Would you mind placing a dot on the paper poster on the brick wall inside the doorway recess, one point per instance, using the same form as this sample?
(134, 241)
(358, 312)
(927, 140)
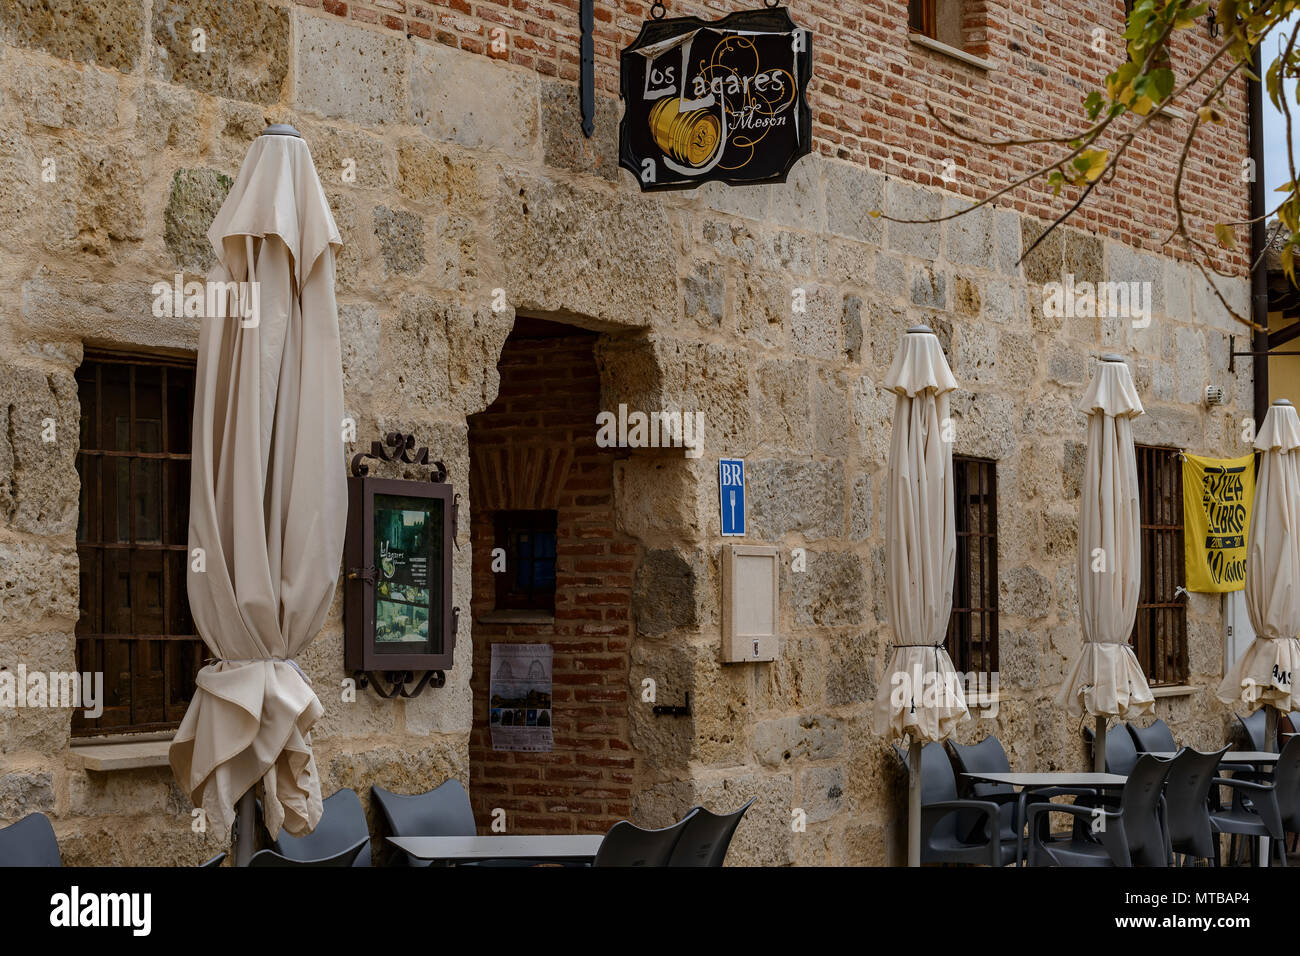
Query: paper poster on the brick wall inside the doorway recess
(519, 698)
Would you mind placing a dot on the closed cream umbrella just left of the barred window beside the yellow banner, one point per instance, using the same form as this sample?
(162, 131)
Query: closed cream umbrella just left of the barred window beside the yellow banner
(1107, 680)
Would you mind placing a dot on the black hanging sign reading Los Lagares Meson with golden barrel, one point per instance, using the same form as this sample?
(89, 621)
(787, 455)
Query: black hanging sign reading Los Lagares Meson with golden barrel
(717, 101)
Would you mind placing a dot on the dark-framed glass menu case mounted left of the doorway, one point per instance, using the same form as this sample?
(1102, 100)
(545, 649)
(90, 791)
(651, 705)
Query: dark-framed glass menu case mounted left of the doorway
(397, 600)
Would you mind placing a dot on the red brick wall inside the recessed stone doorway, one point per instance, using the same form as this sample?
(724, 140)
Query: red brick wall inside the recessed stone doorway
(535, 448)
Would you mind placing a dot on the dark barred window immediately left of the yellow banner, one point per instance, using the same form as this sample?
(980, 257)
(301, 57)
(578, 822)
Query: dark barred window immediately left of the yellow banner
(1160, 629)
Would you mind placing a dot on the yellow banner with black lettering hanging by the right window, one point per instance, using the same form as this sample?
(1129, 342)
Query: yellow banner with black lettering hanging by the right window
(1217, 496)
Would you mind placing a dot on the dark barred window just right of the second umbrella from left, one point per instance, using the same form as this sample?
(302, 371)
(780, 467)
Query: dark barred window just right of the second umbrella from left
(977, 551)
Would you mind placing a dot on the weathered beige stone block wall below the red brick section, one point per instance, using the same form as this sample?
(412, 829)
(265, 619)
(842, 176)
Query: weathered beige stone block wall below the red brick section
(453, 179)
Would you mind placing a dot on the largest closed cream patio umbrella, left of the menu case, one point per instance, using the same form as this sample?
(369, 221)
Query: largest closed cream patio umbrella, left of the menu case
(268, 495)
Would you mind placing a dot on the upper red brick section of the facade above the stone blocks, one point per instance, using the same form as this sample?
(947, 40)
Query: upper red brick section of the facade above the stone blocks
(872, 88)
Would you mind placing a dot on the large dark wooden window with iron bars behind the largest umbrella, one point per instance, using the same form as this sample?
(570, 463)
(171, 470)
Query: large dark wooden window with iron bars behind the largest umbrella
(135, 621)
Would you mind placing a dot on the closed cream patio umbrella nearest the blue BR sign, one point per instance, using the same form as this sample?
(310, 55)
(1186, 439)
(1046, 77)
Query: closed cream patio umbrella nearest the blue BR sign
(922, 698)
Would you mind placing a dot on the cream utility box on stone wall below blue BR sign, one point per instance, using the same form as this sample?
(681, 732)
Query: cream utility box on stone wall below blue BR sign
(751, 603)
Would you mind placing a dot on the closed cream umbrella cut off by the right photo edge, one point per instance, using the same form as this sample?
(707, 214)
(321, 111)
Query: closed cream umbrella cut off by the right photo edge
(1266, 674)
